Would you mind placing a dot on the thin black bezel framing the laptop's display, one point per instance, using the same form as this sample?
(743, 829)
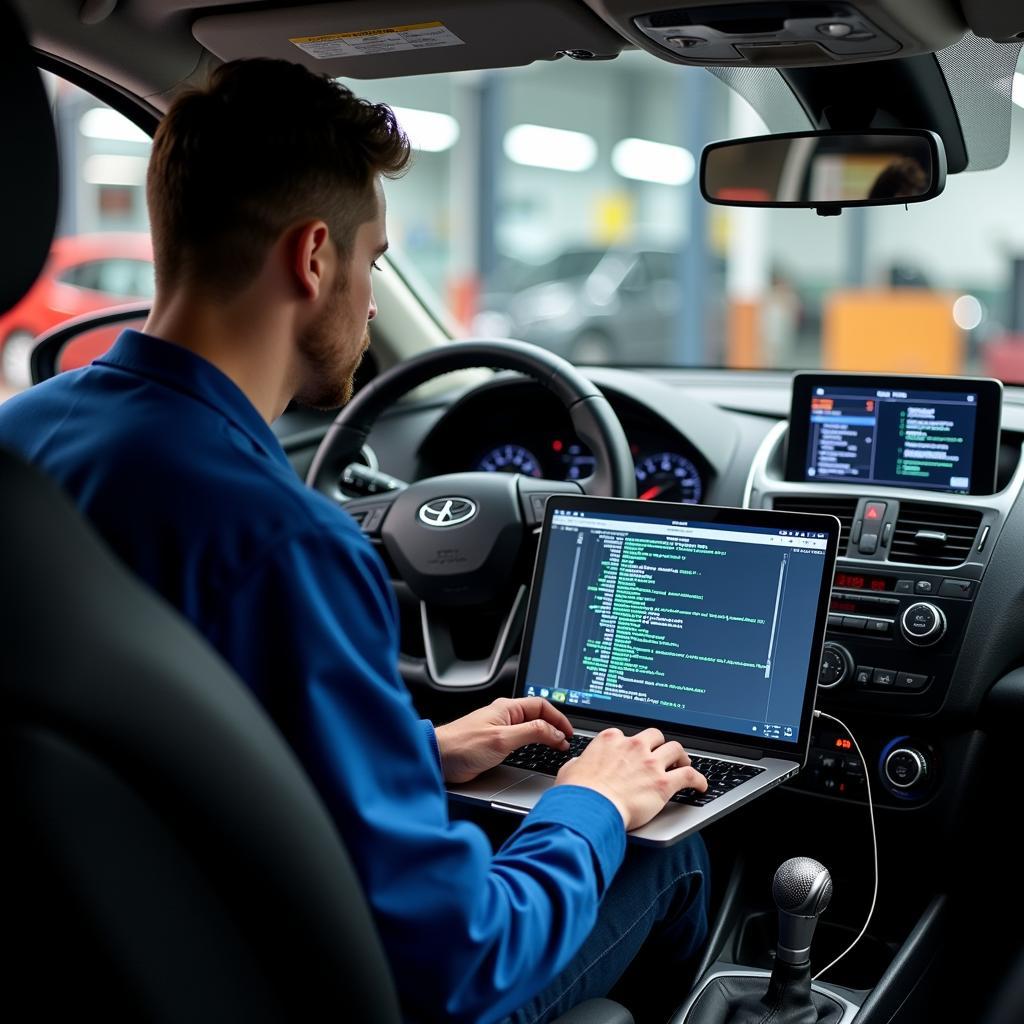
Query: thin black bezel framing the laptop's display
(827, 525)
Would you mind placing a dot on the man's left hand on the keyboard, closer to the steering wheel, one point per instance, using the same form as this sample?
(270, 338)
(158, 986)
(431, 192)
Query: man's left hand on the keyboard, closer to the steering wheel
(484, 739)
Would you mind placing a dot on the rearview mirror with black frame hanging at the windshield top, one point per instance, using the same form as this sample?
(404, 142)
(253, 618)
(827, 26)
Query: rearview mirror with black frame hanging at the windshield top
(826, 170)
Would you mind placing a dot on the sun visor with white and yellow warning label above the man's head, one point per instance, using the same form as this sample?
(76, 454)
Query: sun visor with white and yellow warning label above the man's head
(370, 39)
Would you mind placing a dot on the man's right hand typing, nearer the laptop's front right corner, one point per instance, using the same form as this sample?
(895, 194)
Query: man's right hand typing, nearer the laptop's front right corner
(637, 774)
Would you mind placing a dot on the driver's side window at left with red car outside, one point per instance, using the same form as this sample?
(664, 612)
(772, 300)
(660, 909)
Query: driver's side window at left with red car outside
(102, 255)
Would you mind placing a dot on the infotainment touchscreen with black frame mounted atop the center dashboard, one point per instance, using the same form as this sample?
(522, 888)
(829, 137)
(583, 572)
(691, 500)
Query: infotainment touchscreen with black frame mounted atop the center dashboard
(934, 434)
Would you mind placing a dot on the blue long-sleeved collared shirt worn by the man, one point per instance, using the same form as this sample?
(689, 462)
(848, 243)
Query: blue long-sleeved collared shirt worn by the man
(189, 485)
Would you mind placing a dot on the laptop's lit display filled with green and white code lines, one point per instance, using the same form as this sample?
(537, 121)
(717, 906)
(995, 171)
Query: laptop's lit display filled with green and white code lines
(693, 624)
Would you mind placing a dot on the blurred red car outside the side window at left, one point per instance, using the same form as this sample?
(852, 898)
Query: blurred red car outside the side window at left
(84, 274)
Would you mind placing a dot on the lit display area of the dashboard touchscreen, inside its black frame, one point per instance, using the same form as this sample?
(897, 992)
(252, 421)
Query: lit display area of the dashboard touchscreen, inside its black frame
(880, 436)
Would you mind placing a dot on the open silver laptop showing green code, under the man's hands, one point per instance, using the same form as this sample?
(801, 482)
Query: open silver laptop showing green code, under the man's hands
(707, 623)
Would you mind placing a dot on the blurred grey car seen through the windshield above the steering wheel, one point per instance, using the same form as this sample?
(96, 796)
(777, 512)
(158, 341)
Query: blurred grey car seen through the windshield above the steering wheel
(591, 306)
